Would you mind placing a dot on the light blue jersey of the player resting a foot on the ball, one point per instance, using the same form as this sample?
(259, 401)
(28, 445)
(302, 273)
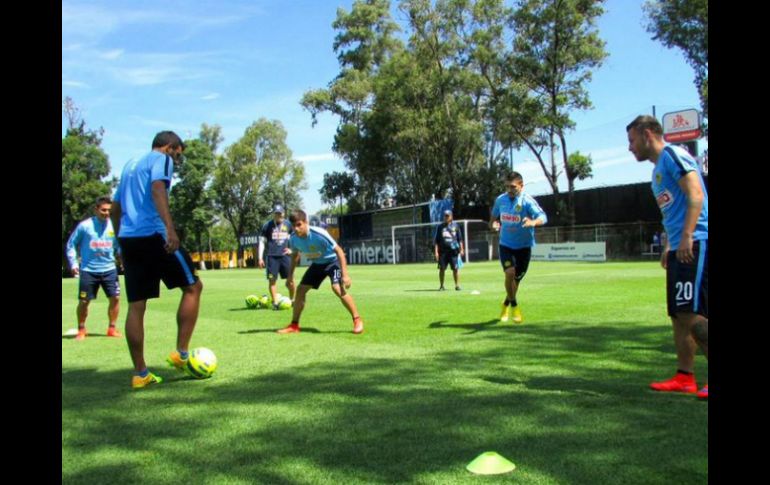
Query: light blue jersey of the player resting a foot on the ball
(139, 215)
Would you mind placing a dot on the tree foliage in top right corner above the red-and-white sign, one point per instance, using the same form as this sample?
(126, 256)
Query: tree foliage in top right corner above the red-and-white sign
(684, 24)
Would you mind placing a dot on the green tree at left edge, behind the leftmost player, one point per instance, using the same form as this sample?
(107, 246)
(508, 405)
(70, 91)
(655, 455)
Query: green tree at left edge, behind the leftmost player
(84, 167)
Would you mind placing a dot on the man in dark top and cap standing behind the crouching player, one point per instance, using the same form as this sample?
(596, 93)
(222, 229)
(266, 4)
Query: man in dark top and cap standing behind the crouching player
(276, 233)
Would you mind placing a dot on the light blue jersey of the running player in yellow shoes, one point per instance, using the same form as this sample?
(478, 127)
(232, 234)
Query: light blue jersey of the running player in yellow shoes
(512, 213)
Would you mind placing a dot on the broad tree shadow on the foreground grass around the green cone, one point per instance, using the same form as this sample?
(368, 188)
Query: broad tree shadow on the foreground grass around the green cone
(563, 406)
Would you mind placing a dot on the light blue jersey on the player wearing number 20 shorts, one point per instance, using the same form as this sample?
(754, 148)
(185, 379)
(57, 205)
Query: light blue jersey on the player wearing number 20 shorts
(673, 164)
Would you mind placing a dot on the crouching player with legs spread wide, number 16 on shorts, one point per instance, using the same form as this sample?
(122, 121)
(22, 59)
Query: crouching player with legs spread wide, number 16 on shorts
(326, 259)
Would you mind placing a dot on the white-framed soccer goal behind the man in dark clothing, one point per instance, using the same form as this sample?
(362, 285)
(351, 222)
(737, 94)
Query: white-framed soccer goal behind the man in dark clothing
(414, 243)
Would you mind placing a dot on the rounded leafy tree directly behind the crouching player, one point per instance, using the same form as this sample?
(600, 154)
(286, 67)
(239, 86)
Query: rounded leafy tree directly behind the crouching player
(254, 173)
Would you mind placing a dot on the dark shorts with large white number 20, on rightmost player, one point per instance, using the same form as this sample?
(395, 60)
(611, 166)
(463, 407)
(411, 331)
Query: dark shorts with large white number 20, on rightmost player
(687, 284)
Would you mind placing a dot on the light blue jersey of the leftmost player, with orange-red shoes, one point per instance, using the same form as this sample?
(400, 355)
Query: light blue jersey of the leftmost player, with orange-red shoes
(96, 243)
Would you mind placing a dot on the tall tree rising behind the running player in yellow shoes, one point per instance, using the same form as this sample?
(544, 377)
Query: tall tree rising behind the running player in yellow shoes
(556, 48)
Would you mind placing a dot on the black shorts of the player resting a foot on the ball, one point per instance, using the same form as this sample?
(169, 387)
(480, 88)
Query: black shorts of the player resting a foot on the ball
(146, 263)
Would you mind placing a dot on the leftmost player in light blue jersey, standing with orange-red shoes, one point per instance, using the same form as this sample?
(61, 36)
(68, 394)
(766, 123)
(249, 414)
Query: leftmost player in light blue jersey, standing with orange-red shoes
(96, 242)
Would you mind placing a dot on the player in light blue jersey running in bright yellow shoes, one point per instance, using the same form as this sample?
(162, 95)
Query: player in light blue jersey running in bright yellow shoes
(515, 214)
